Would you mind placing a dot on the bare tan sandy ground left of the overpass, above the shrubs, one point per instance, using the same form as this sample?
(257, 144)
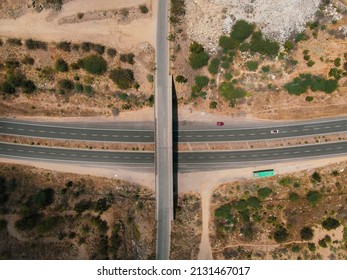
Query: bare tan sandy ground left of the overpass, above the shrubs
(45, 25)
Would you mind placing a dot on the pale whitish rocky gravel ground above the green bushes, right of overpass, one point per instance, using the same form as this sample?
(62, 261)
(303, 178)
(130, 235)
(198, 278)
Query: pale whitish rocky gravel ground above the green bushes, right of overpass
(207, 20)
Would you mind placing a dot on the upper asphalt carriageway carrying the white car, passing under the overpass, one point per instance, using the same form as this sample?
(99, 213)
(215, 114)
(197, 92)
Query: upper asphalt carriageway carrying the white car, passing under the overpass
(137, 135)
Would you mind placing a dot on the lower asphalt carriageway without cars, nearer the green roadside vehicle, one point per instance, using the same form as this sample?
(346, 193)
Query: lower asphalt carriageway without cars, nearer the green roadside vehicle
(187, 161)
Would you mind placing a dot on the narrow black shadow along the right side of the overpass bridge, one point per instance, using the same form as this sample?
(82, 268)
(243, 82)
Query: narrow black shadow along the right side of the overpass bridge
(175, 146)
